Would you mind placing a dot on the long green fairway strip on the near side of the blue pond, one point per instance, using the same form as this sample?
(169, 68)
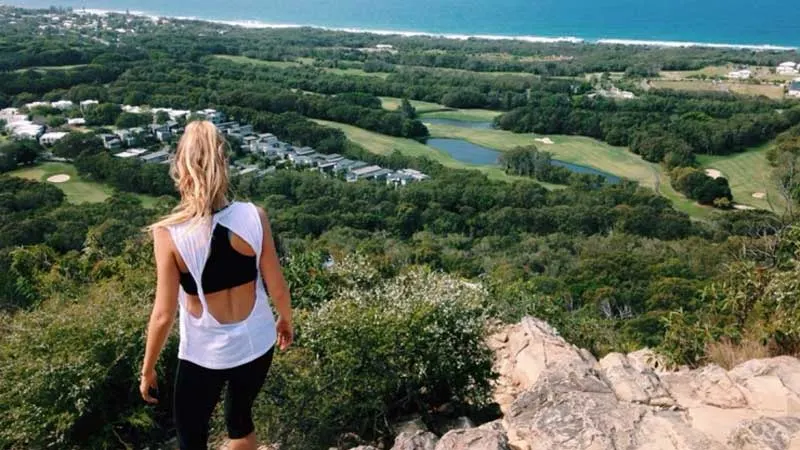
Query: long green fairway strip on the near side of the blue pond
(384, 145)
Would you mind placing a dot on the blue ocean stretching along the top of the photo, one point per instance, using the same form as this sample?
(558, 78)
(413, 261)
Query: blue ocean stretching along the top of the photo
(734, 22)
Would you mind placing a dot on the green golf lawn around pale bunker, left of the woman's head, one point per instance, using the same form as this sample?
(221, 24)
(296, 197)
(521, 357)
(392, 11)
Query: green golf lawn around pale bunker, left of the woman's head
(76, 189)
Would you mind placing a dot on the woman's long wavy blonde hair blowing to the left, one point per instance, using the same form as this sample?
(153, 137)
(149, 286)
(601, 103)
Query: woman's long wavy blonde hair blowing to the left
(200, 173)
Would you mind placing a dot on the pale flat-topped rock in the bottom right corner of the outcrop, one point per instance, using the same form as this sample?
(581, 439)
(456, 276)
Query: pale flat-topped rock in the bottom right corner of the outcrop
(767, 434)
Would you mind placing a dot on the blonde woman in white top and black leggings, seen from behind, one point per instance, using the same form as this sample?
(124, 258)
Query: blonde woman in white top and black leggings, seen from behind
(214, 258)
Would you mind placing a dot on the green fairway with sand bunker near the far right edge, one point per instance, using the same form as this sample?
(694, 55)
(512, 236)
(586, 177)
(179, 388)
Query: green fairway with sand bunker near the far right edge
(748, 172)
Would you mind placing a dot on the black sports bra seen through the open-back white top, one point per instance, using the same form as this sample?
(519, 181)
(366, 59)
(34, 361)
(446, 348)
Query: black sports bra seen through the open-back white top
(225, 268)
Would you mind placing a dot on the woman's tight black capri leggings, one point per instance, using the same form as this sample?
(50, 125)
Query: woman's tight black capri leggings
(197, 391)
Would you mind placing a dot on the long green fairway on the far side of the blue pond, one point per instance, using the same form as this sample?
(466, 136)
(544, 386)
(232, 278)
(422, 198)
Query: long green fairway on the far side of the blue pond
(574, 149)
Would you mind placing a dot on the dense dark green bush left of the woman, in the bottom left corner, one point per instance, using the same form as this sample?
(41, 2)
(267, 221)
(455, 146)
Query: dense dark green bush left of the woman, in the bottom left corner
(69, 372)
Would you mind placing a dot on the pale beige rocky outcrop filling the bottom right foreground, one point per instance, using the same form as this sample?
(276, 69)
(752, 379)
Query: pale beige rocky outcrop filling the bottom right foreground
(557, 396)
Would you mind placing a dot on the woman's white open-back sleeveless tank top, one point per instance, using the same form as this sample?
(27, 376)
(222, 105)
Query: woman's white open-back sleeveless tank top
(203, 340)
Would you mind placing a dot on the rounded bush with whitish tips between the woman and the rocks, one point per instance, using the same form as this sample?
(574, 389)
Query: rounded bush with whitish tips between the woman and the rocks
(406, 344)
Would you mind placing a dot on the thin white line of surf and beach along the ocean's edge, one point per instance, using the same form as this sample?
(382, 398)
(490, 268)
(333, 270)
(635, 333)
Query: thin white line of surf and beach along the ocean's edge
(255, 24)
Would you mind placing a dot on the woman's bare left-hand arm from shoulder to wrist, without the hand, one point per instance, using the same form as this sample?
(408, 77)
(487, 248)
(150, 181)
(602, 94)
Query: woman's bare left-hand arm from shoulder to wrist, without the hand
(163, 315)
